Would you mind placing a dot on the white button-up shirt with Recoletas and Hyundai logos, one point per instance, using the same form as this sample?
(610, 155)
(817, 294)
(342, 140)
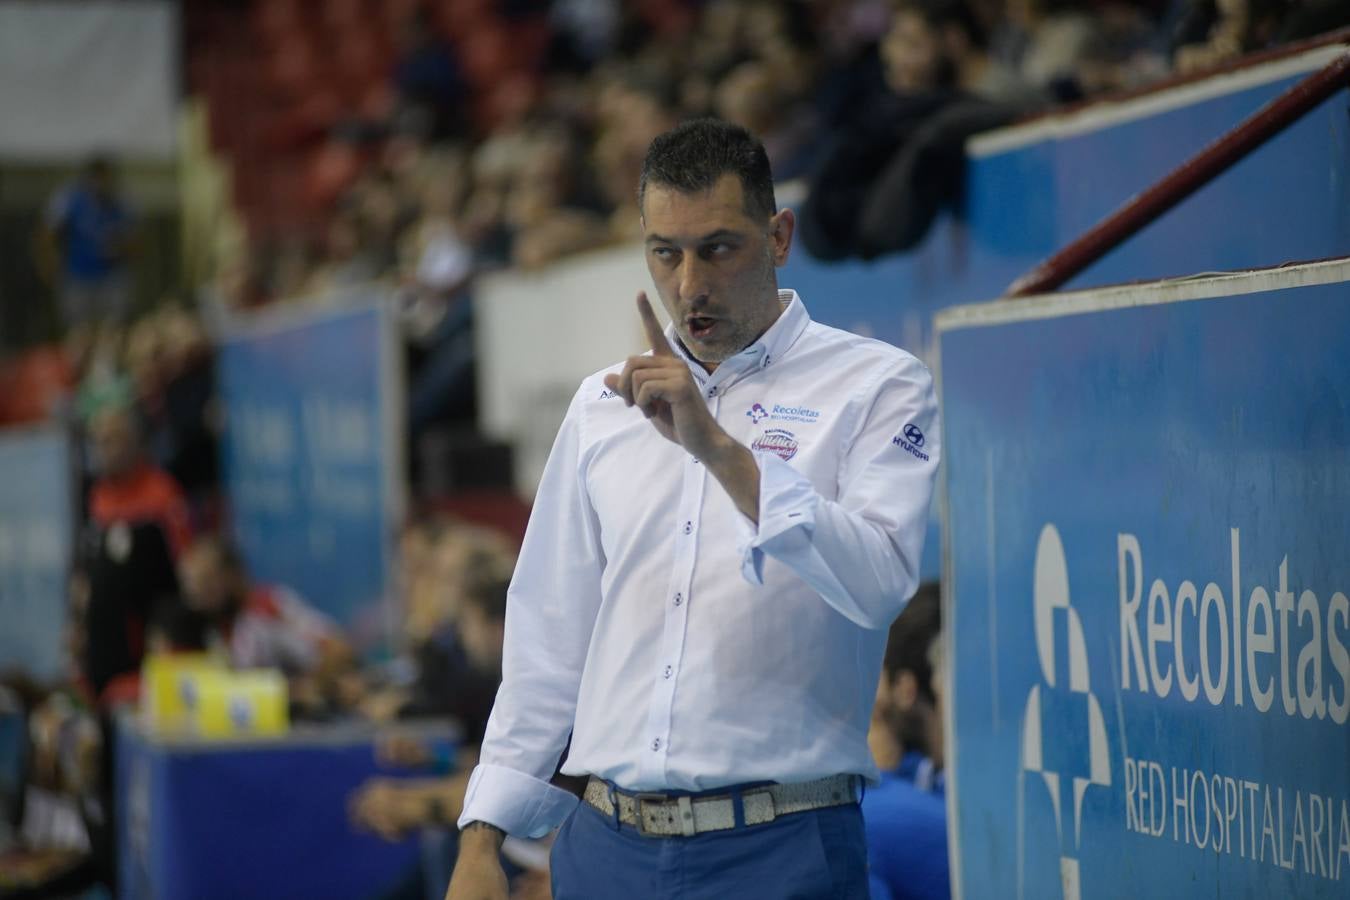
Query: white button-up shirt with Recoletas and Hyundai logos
(681, 644)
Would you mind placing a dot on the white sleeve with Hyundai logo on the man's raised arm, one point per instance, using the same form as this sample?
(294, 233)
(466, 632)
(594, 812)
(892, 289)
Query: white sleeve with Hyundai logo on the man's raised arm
(862, 550)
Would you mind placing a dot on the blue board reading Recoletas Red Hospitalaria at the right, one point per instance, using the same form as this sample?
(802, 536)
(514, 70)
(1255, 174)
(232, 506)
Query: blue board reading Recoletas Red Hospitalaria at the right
(1147, 577)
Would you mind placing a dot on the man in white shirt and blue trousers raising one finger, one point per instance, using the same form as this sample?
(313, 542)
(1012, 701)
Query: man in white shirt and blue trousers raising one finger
(705, 589)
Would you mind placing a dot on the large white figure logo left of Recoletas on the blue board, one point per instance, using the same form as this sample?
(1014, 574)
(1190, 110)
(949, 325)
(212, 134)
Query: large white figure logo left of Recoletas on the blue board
(1051, 593)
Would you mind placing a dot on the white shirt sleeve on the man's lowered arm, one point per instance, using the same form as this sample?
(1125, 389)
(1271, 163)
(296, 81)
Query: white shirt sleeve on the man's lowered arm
(551, 611)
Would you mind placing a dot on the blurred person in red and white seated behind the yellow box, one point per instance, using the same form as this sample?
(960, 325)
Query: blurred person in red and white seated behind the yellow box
(256, 625)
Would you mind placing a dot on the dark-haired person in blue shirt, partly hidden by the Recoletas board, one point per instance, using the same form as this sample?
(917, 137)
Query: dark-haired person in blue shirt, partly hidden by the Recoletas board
(905, 817)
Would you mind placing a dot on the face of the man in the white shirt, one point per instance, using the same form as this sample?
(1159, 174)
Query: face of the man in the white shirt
(713, 266)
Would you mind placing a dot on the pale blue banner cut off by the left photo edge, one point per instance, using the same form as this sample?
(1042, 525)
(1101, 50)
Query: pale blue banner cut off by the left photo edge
(37, 531)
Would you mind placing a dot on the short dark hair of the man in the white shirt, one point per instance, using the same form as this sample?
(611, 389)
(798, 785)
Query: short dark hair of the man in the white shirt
(696, 154)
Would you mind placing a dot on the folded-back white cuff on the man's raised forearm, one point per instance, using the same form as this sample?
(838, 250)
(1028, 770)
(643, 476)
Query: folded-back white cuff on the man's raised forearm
(786, 516)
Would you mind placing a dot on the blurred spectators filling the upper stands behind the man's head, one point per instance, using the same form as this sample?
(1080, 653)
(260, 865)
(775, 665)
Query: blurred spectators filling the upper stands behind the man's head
(454, 175)
